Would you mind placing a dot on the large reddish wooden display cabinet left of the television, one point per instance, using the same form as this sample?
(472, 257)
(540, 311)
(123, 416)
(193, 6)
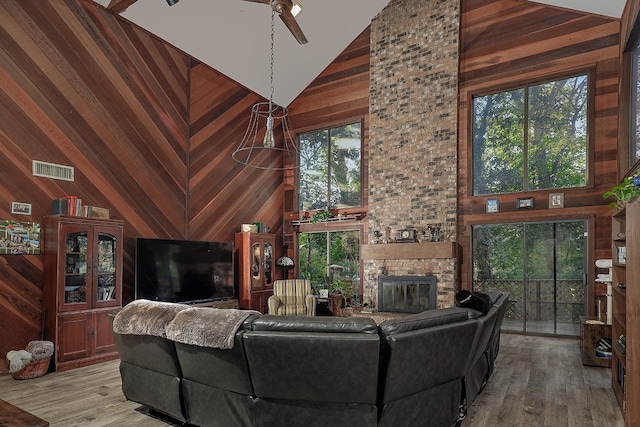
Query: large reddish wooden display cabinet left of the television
(82, 285)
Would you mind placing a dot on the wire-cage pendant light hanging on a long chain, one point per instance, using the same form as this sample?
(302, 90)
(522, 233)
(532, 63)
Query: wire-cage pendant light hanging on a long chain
(263, 151)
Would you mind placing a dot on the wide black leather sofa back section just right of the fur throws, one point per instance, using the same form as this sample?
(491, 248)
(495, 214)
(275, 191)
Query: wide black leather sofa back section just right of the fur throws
(323, 359)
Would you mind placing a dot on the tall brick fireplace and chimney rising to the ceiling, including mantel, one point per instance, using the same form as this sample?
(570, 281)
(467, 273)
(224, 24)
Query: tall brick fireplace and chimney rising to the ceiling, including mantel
(413, 144)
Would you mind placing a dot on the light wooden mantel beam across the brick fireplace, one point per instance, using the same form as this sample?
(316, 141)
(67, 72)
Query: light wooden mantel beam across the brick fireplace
(425, 250)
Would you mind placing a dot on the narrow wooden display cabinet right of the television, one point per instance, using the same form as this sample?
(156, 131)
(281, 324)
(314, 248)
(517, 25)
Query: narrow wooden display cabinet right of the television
(255, 267)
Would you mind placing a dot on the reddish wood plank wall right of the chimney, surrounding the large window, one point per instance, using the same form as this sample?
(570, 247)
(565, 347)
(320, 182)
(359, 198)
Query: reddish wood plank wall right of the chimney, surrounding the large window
(507, 43)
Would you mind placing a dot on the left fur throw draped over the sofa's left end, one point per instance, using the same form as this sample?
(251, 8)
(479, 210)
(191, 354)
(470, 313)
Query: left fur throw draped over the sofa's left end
(144, 317)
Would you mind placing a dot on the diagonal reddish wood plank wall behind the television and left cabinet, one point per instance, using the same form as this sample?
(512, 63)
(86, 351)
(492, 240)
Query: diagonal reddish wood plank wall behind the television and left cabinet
(148, 130)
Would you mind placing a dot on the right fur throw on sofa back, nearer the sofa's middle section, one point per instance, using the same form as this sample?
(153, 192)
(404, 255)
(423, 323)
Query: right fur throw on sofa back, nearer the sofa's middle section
(207, 327)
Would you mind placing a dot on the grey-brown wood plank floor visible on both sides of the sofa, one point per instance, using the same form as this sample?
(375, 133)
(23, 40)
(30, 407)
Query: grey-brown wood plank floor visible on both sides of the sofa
(538, 381)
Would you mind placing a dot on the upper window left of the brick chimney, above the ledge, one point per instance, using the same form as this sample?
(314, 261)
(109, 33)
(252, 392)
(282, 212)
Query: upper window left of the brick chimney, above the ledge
(330, 168)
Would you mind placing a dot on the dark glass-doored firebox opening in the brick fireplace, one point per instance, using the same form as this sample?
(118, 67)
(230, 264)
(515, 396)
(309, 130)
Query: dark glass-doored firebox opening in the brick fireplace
(406, 294)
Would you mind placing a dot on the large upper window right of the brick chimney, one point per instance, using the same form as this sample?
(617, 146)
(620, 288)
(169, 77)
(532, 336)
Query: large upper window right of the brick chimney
(531, 138)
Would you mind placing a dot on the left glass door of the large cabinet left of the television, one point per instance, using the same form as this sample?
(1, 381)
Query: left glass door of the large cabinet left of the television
(75, 274)
